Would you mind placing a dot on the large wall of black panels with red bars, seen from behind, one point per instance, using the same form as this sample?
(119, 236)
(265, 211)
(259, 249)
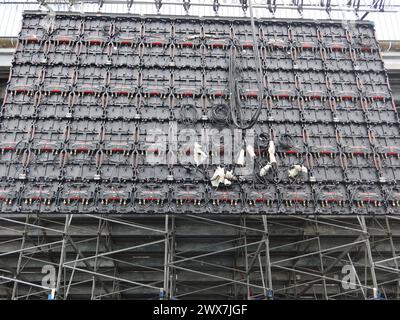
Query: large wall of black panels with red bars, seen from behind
(87, 92)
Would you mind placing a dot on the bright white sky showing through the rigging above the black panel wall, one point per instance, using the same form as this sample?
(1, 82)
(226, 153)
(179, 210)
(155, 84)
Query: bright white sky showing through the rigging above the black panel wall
(387, 24)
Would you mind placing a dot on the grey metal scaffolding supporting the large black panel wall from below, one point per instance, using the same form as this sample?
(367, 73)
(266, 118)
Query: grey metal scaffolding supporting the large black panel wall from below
(186, 257)
